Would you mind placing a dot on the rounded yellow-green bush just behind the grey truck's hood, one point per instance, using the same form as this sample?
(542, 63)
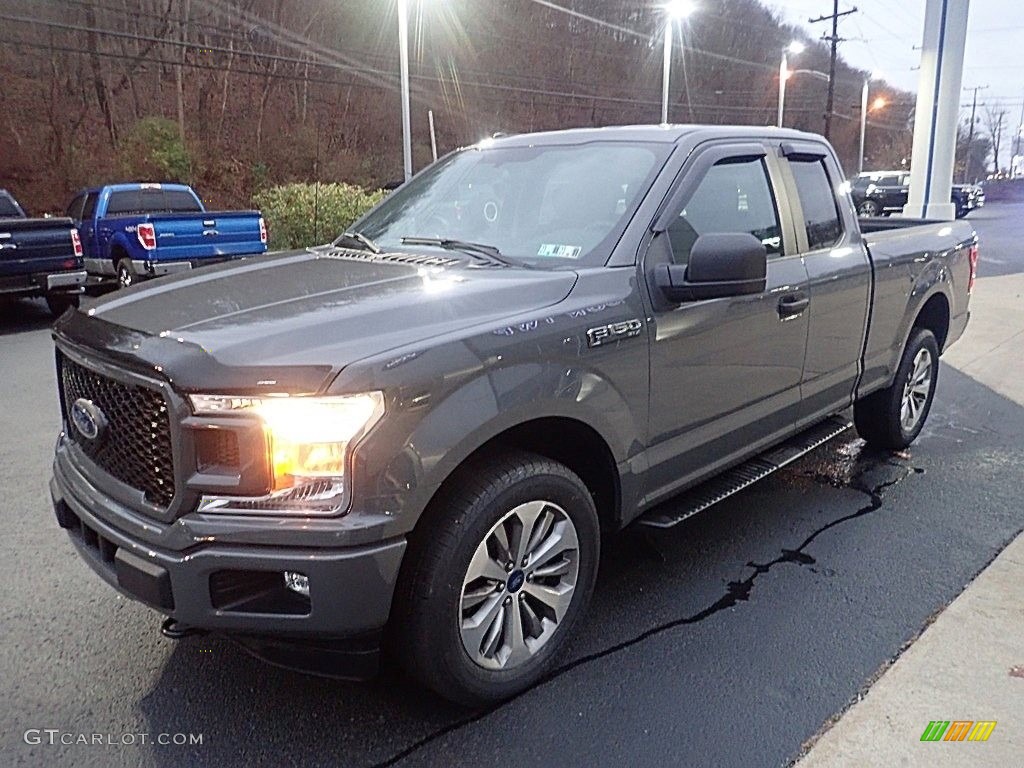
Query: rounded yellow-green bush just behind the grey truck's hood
(301, 216)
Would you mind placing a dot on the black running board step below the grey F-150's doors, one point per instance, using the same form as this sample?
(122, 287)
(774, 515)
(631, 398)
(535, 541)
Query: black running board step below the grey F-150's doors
(732, 482)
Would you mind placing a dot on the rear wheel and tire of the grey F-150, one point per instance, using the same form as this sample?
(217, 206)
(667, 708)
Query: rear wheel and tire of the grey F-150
(893, 418)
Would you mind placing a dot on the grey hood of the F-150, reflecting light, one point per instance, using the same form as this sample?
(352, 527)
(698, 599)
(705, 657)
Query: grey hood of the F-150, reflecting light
(328, 307)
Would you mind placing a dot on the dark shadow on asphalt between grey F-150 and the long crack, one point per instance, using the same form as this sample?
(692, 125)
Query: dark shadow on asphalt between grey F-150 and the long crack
(651, 582)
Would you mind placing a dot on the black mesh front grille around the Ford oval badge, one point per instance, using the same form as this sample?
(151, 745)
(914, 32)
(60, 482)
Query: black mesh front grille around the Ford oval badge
(136, 447)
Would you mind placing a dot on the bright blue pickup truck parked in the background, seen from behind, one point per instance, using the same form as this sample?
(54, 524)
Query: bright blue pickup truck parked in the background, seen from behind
(137, 231)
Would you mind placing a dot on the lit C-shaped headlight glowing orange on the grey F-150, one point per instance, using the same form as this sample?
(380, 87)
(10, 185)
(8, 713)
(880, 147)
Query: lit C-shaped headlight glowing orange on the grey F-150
(308, 446)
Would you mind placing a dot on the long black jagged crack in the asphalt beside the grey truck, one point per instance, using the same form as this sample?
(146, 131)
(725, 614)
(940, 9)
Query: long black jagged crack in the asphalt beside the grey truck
(737, 592)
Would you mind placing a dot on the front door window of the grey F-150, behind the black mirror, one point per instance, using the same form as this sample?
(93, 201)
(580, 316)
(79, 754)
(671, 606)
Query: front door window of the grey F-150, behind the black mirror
(735, 197)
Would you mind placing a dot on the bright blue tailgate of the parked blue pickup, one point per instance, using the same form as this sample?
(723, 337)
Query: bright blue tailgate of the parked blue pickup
(198, 236)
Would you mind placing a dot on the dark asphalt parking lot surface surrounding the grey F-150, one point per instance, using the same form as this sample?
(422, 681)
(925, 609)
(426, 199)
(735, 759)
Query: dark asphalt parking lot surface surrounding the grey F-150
(729, 641)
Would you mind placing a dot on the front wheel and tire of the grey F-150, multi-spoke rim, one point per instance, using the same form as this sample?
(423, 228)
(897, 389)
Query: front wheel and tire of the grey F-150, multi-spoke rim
(500, 570)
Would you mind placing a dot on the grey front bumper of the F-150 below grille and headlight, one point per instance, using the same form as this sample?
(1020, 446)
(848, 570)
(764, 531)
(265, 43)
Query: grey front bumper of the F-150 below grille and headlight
(232, 588)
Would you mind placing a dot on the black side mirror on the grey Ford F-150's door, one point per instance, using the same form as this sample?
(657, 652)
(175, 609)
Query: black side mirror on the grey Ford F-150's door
(720, 266)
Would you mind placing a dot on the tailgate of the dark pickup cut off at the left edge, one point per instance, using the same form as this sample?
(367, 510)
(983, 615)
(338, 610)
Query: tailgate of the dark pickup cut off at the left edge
(30, 246)
